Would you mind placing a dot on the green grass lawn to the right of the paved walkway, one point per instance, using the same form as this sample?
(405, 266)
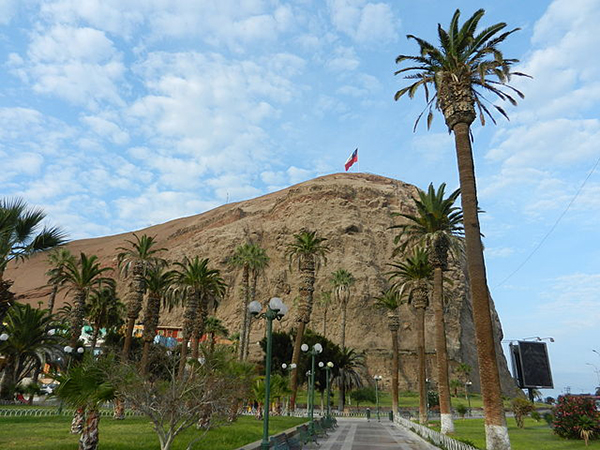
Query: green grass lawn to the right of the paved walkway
(535, 436)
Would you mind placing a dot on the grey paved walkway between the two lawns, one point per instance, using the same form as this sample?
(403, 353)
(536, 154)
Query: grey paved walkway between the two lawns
(358, 434)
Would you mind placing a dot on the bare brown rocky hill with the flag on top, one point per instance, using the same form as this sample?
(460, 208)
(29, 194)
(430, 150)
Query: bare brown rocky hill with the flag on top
(354, 212)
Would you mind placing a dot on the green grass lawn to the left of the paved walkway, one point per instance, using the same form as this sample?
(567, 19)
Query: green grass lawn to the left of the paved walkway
(52, 433)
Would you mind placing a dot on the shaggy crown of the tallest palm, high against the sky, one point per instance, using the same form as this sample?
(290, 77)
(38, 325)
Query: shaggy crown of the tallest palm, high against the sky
(465, 65)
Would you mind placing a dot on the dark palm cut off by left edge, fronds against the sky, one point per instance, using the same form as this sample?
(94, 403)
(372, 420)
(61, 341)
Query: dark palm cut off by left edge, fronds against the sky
(22, 235)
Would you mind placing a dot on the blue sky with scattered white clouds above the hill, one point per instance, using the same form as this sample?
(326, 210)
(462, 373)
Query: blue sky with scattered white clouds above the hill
(120, 114)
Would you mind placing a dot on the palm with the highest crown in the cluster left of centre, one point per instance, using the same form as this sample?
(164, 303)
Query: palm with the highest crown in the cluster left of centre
(134, 260)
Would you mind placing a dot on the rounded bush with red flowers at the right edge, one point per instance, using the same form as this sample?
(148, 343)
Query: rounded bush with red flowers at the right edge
(573, 413)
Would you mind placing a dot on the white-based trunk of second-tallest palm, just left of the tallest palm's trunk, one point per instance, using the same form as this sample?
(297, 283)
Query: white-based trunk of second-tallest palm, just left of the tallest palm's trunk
(441, 353)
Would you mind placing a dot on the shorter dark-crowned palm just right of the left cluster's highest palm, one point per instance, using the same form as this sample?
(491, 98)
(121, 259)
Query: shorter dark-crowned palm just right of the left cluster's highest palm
(158, 281)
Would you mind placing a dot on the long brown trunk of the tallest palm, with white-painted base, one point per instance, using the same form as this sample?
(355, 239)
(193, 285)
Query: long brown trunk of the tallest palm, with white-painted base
(495, 422)
